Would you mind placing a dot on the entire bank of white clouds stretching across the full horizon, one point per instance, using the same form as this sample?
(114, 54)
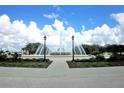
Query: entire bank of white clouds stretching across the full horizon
(15, 35)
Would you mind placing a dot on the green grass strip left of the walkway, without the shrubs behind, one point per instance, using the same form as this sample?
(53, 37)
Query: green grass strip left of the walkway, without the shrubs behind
(29, 64)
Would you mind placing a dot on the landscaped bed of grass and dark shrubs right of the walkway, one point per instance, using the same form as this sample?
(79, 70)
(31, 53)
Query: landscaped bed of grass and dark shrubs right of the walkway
(97, 62)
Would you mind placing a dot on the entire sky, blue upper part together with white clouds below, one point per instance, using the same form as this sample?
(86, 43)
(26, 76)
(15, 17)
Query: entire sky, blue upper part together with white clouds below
(103, 25)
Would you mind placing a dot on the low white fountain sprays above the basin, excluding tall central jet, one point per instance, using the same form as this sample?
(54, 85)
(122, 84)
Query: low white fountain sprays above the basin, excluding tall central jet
(54, 50)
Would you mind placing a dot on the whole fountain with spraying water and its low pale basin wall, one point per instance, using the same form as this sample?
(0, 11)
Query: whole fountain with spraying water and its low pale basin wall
(61, 46)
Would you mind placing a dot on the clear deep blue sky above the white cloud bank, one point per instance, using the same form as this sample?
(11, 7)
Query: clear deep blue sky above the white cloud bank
(76, 16)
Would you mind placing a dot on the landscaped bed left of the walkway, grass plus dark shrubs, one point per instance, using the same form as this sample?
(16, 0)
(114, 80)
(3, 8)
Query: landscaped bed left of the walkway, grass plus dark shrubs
(16, 61)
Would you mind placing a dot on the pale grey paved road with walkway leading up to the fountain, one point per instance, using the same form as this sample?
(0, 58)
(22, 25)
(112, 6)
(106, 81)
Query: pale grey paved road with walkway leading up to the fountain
(59, 75)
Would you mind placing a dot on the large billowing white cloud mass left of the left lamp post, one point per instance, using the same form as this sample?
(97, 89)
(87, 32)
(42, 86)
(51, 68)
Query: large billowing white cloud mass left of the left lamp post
(14, 35)
